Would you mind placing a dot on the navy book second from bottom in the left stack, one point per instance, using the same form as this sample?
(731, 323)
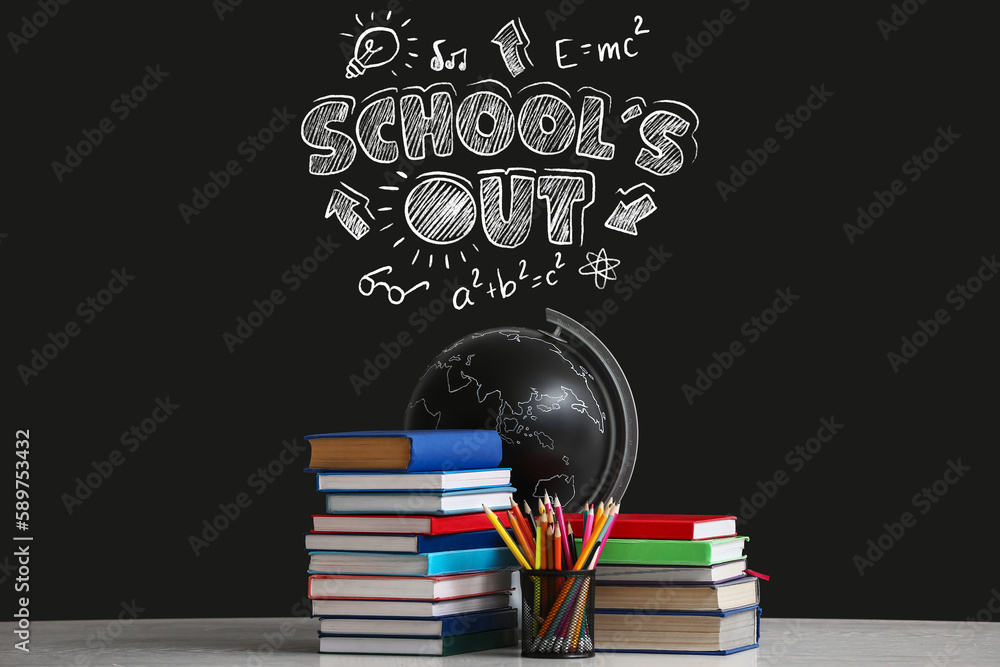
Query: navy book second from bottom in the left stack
(447, 626)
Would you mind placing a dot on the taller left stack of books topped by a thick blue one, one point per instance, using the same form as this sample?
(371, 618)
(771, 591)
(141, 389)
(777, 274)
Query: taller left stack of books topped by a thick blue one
(404, 561)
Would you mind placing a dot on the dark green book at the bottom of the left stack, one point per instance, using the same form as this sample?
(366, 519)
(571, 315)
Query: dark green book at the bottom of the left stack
(473, 641)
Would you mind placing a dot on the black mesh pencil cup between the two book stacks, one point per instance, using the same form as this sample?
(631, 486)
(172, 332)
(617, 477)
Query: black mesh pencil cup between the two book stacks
(557, 613)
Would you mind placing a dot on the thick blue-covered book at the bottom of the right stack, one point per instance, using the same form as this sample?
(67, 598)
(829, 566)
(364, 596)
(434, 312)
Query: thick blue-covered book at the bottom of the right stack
(696, 632)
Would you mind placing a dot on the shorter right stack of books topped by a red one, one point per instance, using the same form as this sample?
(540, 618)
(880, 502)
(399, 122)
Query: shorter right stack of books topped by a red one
(674, 584)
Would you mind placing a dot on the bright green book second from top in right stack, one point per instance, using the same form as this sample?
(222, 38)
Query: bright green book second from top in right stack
(671, 552)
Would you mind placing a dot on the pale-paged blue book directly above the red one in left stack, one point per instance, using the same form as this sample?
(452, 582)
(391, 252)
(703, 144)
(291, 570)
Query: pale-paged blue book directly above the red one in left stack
(431, 502)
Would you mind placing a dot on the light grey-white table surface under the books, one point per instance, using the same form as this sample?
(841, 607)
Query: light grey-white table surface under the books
(248, 642)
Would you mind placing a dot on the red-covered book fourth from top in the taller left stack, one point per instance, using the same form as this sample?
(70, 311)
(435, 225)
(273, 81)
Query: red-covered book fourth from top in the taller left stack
(411, 524)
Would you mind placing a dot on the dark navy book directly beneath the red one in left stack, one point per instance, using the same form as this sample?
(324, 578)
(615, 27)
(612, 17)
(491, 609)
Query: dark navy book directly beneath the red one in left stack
(477, 539)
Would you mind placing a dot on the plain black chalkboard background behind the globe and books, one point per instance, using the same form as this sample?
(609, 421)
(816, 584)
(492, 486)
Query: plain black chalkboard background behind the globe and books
(825, 358)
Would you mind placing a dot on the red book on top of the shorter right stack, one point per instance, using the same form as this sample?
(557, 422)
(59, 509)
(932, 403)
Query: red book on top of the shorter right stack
(665, 526)
